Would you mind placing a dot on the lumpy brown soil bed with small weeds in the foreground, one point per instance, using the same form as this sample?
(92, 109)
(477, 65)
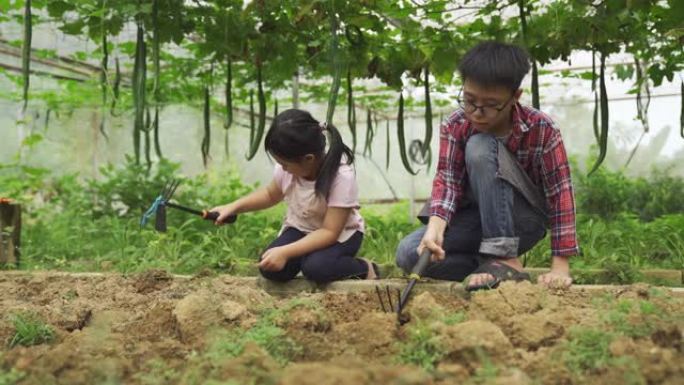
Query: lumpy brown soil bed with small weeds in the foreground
(150, 328)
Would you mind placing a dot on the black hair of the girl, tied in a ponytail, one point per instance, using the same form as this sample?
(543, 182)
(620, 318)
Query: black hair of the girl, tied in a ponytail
(295, 133)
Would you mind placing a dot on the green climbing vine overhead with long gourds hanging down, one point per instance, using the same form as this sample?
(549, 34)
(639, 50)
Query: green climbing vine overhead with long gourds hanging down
(254, 48)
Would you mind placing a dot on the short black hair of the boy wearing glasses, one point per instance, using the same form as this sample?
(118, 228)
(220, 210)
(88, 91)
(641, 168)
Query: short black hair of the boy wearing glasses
(493, 63)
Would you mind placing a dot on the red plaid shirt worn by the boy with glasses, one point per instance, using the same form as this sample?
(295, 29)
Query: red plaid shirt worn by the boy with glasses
(539, 148)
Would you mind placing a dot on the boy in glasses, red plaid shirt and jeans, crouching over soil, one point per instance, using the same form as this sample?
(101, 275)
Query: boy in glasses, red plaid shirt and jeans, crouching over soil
(502, 178)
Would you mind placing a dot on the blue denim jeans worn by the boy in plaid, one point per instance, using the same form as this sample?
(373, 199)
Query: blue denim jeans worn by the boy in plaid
(500, 215)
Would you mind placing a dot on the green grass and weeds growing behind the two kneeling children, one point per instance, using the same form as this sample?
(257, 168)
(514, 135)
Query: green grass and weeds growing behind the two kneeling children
(86, 225)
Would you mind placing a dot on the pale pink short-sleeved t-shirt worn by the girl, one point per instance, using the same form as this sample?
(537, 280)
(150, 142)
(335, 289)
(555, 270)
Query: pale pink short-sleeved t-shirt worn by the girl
(306, 210)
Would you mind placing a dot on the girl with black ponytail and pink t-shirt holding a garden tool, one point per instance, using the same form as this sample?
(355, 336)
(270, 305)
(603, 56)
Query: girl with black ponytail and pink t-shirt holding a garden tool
(323, 229)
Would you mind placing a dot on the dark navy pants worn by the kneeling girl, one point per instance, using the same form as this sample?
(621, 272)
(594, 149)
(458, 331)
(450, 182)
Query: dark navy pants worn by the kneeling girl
(330, 264)
